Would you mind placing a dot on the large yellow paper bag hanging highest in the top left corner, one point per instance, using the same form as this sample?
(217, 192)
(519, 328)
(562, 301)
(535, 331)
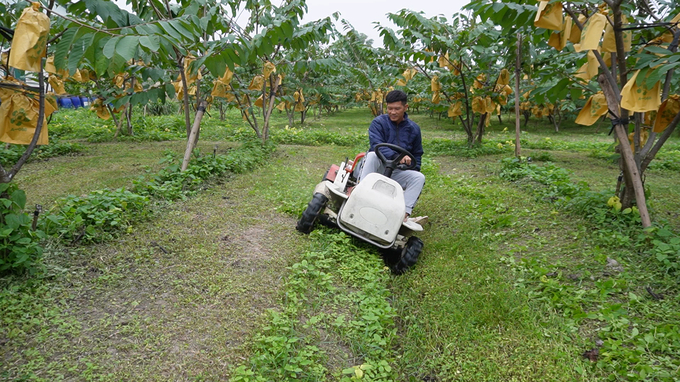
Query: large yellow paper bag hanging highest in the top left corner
(30, 39)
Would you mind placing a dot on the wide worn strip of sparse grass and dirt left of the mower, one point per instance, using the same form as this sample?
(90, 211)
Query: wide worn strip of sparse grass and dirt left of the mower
(175, 300)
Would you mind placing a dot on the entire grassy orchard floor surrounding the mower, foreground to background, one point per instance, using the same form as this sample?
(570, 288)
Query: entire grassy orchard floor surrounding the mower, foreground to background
(186, 295)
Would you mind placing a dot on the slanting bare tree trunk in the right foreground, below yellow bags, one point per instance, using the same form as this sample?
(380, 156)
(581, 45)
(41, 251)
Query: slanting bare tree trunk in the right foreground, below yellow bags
(613, 100)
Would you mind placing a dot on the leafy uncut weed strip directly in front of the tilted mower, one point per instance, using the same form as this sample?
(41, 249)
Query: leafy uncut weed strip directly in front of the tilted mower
(336, 322)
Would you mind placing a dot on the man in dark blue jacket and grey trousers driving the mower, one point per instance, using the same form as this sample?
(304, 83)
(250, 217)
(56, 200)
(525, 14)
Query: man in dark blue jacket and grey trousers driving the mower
(396, 128)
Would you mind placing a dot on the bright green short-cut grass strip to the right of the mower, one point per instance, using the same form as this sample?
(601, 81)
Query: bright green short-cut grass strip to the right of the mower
(459, 316)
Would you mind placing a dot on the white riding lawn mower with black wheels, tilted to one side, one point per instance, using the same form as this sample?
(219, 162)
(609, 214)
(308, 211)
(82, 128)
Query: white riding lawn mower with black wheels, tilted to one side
(372, 209)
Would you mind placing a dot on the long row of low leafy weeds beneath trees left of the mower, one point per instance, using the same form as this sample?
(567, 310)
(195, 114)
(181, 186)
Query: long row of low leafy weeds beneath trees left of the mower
(104, 214)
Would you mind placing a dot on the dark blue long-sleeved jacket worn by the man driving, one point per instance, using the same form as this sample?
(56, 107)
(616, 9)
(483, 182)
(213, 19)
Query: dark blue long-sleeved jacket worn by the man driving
(406, 135)
